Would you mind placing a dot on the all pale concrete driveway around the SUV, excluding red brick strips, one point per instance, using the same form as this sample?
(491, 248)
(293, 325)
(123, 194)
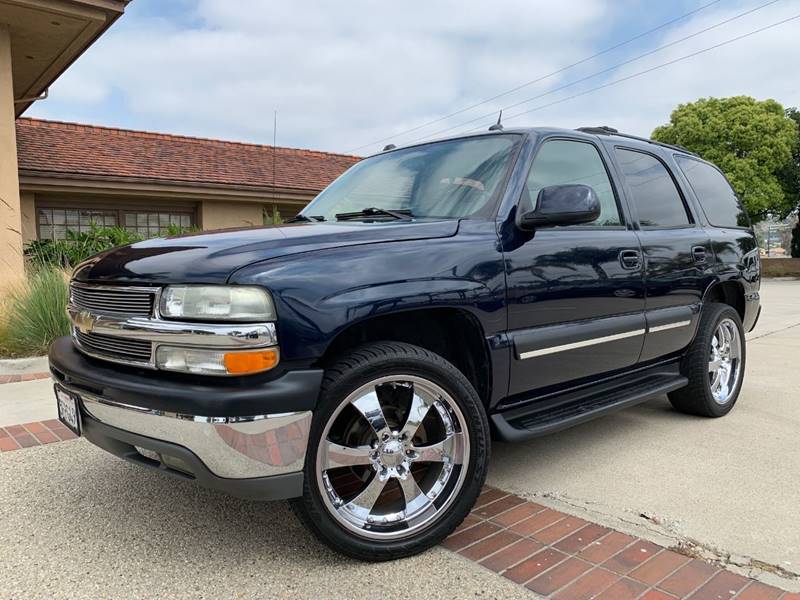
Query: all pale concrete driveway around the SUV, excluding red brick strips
(75, 522)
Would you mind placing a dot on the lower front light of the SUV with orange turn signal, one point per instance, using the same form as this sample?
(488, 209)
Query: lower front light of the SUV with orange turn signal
(215, 362)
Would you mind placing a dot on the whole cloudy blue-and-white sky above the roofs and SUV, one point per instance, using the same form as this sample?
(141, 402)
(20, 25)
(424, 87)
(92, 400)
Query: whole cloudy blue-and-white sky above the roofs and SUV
(345, 75)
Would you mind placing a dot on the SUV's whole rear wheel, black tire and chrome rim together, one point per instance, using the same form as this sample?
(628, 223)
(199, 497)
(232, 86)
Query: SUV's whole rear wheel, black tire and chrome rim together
(714, 364)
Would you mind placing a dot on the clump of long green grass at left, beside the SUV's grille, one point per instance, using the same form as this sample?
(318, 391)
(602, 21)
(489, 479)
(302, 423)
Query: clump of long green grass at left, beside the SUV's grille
(34, 314)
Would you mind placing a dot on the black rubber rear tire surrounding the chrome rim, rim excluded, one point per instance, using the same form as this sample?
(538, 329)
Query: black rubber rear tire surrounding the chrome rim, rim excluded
(697, 398)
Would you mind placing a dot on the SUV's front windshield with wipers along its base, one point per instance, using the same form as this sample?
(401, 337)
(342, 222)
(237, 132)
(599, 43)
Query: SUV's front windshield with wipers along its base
(450, 179)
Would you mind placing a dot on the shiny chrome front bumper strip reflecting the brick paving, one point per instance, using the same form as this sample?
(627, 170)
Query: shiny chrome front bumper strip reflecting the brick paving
(229, 447)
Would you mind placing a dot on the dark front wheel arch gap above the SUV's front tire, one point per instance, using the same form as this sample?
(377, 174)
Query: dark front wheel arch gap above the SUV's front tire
(454, 334)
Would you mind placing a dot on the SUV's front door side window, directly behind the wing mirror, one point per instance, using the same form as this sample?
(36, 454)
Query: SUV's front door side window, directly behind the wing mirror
(561, 162)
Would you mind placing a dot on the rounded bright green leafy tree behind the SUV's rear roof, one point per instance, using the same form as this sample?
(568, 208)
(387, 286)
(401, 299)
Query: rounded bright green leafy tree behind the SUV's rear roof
(750, 140)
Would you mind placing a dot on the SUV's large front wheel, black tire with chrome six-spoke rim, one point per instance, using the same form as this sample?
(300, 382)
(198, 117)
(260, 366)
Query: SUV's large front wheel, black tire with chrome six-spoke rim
(398, 453)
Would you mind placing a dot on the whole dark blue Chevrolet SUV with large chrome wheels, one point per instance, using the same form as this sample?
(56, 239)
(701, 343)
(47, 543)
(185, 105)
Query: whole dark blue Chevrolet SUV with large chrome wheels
(360, 359)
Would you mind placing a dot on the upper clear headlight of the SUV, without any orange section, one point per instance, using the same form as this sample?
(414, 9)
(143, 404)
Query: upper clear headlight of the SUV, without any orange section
(217, 303)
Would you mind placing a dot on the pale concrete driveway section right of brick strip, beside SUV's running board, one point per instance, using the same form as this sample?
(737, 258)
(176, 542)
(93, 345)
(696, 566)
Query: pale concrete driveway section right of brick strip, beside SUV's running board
(730, 486)
